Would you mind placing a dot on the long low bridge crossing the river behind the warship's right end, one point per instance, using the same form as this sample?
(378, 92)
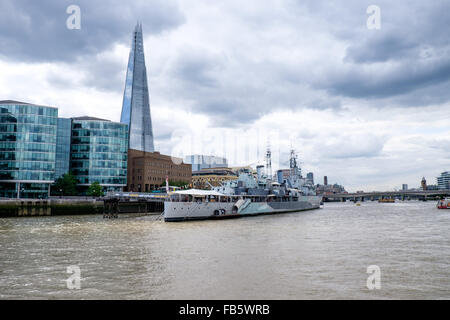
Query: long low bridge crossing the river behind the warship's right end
(401, 194)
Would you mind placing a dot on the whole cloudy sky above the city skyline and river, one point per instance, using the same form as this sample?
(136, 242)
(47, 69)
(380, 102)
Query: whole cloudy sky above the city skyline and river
(369, 108)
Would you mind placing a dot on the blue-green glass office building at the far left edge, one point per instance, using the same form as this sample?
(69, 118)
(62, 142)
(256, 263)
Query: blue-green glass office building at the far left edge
(27, 149)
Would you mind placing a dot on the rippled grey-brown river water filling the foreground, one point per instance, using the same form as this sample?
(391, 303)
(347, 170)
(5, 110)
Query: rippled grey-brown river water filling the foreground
(319, 254)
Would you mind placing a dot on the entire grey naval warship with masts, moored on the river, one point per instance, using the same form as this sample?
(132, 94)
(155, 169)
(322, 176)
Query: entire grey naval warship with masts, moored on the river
(246, 196)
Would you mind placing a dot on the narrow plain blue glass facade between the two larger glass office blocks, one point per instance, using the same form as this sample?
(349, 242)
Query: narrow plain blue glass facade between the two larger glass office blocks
(63, 138)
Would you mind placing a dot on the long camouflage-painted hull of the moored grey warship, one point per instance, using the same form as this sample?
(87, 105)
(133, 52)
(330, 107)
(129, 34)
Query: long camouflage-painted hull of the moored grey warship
(185, 211)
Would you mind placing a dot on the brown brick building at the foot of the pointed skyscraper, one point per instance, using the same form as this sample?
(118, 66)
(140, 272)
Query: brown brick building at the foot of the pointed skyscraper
(147, 170)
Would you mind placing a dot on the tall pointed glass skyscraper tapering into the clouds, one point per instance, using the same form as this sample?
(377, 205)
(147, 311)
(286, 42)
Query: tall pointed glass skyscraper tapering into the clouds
(136, 101)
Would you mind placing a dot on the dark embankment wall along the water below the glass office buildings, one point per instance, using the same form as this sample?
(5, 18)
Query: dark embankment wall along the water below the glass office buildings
(49, 207)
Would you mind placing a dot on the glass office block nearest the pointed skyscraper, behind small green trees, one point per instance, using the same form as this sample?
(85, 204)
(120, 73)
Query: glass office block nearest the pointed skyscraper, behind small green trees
(98, 153)
